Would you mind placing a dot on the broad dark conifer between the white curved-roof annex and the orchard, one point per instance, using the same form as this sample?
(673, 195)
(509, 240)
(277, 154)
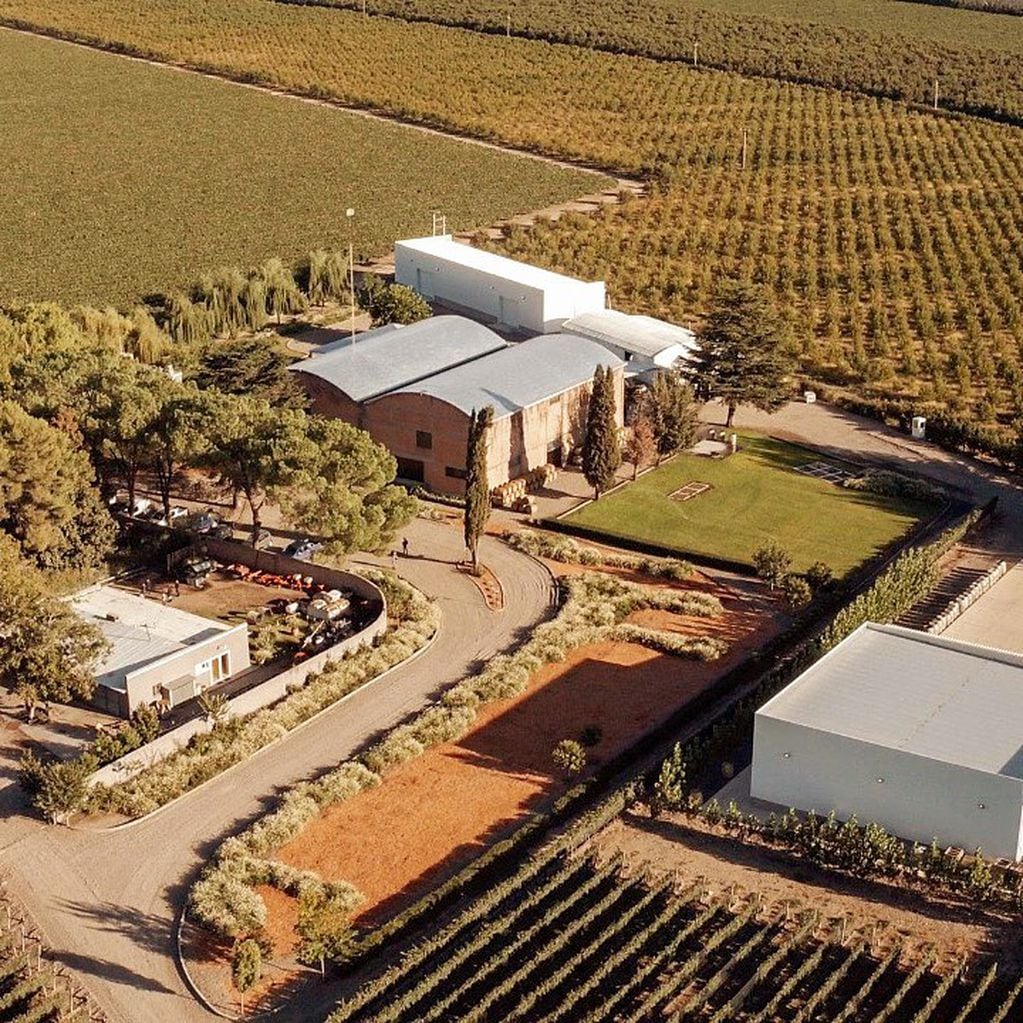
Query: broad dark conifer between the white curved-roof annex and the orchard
(741, 360)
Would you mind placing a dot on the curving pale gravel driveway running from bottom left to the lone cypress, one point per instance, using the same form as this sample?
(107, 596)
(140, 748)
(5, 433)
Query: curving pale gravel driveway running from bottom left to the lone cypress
(107, 902)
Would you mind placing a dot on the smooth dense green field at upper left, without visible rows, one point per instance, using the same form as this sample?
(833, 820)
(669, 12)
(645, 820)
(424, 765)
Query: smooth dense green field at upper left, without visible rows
(121, 179)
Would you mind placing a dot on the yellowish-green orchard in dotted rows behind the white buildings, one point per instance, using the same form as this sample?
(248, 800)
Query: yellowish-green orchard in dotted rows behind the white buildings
(892, 240)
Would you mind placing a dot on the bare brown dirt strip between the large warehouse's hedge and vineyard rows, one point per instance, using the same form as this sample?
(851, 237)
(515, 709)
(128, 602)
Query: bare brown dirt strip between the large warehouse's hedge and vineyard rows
(893, 917)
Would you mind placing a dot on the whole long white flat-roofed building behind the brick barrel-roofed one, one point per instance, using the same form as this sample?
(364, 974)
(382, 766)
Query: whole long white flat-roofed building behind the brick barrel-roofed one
(494, 288)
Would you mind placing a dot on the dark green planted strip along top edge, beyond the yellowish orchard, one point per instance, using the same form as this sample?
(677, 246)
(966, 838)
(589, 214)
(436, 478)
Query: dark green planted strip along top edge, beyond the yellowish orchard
(847, 45)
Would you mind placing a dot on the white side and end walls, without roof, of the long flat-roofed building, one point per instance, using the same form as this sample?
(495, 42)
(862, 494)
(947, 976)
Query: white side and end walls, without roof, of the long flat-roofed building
(495, 297)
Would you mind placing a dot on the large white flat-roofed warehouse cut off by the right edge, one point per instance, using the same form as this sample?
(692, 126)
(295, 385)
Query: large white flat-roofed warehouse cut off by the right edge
(919, 734)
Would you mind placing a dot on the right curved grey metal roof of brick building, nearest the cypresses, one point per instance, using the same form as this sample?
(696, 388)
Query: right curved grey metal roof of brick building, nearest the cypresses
(519, 376)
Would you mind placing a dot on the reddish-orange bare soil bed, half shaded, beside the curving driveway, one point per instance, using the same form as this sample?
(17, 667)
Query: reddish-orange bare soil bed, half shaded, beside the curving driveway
(441, 810)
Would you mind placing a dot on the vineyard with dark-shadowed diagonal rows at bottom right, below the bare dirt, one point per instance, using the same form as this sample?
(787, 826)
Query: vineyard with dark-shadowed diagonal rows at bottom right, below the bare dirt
(581, 942)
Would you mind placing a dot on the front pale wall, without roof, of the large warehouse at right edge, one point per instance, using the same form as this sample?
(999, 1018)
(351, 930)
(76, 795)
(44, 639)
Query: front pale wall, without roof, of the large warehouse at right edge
(920, 799)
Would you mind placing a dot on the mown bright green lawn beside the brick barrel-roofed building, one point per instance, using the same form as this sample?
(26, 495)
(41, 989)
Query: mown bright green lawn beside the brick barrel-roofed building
(757, 496)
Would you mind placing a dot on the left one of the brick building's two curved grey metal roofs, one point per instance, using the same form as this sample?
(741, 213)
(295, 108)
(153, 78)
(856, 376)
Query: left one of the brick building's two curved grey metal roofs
(381, 362)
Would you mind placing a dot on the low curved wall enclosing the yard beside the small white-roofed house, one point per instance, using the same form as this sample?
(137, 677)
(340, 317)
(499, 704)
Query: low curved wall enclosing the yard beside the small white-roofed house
(274, 689)
